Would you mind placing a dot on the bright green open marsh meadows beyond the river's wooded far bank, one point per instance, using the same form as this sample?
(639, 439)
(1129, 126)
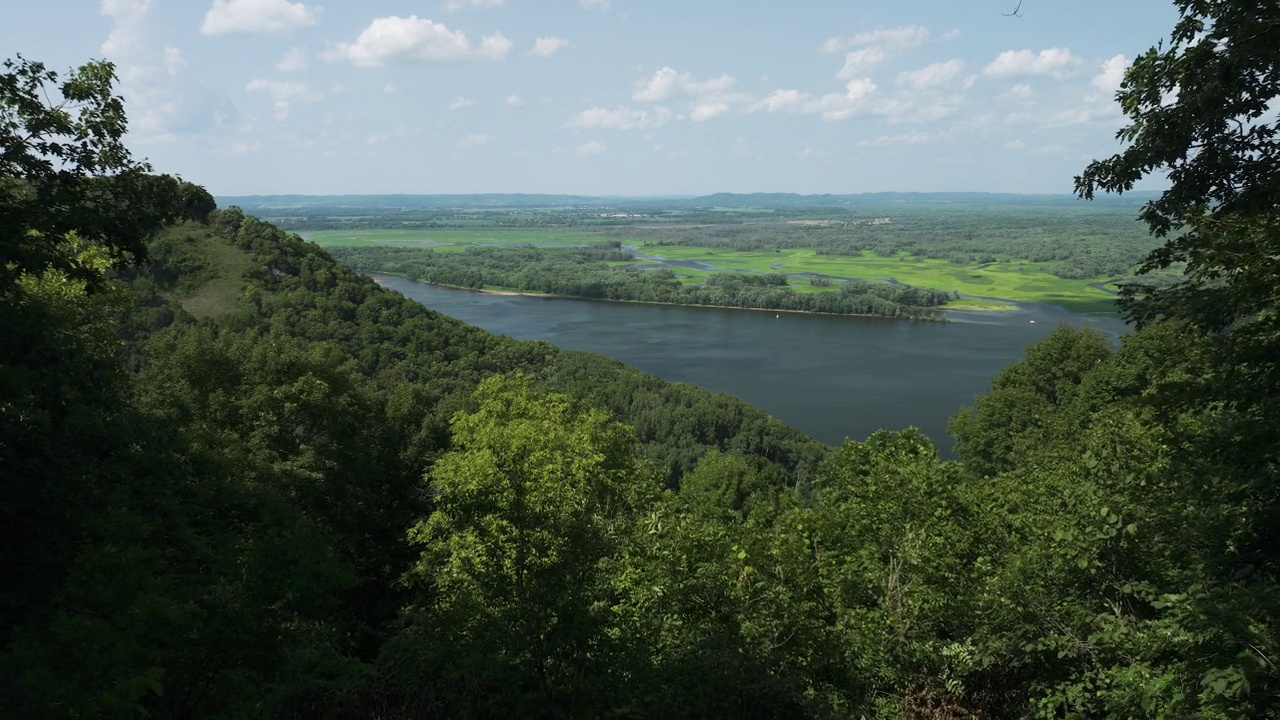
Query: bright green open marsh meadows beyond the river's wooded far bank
(988, 284)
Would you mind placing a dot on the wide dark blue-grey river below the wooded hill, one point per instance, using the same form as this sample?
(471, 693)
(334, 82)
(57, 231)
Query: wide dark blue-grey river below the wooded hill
(833, 377)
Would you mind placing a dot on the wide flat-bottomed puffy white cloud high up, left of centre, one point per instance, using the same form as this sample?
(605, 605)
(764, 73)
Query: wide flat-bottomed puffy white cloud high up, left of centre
(413, 42)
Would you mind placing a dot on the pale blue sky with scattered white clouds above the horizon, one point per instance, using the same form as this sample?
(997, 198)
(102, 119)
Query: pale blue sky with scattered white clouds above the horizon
(607, 97)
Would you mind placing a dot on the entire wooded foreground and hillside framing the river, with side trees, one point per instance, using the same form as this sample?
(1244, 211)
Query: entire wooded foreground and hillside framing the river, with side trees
(241, 481)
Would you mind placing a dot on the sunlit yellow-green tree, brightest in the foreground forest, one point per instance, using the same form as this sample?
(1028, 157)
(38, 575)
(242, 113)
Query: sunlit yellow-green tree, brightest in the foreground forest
(531, 503)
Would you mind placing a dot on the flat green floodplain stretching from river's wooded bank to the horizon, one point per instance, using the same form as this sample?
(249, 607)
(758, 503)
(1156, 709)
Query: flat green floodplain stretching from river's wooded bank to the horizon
(984, 252)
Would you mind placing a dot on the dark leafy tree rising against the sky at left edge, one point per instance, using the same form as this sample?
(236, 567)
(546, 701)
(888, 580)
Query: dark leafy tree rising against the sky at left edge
(65, 168)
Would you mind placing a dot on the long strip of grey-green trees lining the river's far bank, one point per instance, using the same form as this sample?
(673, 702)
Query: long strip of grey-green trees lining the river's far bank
(586, 274)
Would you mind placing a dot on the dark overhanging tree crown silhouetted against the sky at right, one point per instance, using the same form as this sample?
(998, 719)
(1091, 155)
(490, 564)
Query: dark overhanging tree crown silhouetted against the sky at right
(1203, 111)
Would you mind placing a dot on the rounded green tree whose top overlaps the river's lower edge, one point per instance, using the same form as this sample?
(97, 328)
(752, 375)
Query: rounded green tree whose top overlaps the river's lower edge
(893, 549)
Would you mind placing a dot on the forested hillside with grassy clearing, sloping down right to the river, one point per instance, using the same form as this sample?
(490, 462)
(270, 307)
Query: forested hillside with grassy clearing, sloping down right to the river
(295, 290)
